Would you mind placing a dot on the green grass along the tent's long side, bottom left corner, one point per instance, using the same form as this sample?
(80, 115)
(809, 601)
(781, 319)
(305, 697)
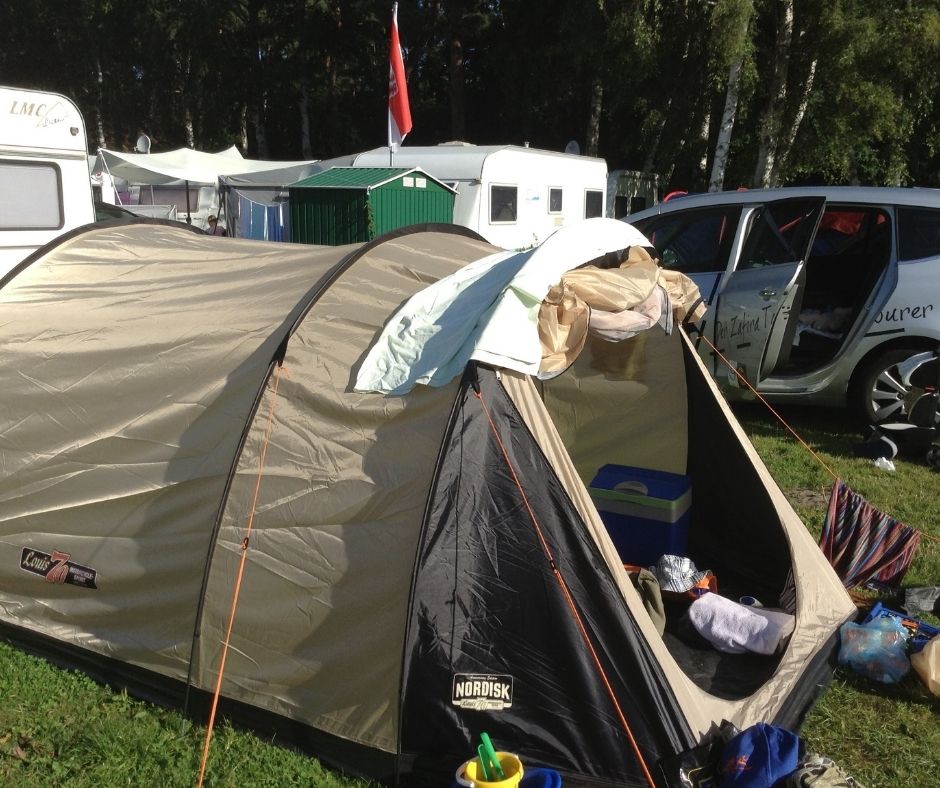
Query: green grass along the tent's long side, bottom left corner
(59, 728)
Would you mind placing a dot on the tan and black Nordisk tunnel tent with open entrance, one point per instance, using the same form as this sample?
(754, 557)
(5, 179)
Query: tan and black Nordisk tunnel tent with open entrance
(421, 567)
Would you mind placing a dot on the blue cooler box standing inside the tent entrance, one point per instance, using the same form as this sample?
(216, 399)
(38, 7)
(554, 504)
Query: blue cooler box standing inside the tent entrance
(646, 512)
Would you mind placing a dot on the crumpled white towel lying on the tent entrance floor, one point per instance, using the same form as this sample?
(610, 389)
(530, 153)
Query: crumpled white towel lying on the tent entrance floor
(736, 629)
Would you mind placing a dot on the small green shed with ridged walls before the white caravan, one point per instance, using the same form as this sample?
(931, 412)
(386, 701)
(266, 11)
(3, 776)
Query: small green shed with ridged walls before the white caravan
(344, 205)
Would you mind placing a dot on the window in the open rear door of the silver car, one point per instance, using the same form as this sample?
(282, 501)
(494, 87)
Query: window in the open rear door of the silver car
(778, 230)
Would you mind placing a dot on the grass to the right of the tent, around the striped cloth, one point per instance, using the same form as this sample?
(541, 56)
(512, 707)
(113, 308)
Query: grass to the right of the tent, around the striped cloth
(884, 735)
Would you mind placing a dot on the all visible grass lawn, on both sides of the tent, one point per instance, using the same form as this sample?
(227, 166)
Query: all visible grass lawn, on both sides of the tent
(58, 728)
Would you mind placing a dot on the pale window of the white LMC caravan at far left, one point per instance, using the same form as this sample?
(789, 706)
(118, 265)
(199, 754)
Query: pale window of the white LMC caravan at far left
(30, 196)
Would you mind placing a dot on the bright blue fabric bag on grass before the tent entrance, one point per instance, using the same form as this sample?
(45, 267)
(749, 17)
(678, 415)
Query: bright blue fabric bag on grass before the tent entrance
(759, 757)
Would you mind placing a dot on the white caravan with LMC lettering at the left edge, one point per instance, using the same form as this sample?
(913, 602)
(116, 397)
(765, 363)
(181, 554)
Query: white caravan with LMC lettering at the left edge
(44, 184)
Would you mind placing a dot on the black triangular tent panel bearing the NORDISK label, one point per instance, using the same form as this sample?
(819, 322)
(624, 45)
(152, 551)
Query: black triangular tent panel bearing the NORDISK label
(492, 644)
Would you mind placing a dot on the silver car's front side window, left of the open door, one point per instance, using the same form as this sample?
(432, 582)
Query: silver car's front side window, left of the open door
(694, 241)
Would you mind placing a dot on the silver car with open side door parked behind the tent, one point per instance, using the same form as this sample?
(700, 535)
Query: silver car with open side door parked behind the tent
(816, 295)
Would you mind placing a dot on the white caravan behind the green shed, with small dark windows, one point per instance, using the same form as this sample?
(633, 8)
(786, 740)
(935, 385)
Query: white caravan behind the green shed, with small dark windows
(514, 196)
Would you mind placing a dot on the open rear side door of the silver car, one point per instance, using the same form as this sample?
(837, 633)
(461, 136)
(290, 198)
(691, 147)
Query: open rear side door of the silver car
(758, 305)
